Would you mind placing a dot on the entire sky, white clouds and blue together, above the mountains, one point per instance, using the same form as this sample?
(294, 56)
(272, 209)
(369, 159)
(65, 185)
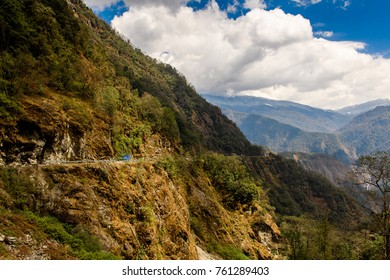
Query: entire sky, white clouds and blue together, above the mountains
(324, 53)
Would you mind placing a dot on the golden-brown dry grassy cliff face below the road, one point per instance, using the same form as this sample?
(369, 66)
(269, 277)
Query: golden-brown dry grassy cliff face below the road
(137, 212)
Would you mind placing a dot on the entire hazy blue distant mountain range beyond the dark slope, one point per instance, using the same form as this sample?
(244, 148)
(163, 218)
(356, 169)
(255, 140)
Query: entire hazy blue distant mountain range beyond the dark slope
(286, 126)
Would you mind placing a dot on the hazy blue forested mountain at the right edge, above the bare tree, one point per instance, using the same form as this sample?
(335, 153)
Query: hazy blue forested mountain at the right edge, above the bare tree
(369, 132)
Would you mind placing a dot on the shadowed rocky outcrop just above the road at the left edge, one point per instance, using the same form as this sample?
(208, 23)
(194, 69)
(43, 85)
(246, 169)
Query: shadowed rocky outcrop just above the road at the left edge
(46, 134)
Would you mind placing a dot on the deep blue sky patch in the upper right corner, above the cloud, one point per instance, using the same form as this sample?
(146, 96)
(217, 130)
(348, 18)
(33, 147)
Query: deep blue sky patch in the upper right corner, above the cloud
(367, 21)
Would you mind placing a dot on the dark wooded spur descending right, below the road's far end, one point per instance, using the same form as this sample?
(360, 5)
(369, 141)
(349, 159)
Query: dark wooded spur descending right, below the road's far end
(294, 191)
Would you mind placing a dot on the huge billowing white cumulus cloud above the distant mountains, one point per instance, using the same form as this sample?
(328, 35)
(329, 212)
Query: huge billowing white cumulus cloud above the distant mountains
(263, 53)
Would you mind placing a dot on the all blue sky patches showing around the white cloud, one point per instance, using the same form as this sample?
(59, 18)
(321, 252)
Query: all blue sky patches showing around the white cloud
(365, 21)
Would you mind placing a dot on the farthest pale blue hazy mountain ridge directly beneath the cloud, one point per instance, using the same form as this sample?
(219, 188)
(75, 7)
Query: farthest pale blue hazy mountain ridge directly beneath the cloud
(297, 115)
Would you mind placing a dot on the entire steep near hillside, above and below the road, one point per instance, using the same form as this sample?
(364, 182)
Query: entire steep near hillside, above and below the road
(75, 98)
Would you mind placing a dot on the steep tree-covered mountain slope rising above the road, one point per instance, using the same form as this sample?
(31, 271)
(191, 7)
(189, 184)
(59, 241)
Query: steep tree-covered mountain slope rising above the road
(63, 62)
